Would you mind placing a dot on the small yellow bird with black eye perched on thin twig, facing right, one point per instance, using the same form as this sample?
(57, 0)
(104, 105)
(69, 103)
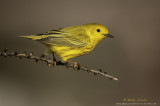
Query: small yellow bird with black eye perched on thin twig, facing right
(72, 41)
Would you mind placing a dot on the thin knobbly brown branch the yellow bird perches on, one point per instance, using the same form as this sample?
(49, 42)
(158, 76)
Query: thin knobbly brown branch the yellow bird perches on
(50, 62)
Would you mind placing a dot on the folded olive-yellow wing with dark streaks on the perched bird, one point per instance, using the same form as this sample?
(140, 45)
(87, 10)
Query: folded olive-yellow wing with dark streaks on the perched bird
(75, 37)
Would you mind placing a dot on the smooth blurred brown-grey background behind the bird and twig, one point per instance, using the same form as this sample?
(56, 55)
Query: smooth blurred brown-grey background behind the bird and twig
(133, 55)
